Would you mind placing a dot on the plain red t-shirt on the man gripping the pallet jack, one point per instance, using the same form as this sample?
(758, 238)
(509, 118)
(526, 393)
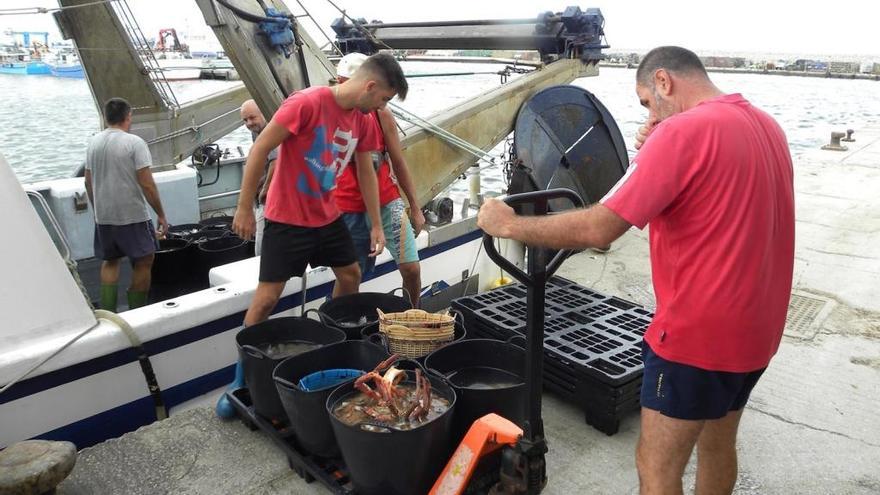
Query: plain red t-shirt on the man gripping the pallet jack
(715, 183)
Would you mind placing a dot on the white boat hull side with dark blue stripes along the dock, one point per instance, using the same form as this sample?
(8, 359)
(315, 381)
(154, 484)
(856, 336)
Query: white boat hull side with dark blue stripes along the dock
(92, 400)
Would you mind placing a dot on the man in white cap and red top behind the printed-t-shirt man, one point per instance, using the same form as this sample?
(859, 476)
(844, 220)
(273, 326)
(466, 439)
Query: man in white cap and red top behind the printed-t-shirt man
(400, 229)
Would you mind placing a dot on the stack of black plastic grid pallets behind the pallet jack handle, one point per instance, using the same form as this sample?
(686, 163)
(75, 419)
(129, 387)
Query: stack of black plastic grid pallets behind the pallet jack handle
(592, 344)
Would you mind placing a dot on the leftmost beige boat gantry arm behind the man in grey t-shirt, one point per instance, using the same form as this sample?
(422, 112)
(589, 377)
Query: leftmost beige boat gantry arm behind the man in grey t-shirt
(118, 62)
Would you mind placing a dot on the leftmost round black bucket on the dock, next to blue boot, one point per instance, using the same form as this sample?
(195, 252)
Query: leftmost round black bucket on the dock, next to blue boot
(262, 346)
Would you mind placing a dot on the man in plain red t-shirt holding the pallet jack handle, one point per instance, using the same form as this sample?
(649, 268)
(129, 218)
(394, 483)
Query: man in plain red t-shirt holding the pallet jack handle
(713, 177)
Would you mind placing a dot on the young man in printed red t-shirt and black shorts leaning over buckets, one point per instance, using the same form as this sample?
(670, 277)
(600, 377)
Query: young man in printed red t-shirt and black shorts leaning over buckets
(319, 130)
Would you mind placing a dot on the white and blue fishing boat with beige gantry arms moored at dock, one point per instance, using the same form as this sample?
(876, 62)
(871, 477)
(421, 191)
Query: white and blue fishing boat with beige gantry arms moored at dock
(95, 388)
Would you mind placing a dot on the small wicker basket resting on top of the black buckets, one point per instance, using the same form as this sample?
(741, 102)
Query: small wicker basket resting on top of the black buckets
(415, 333)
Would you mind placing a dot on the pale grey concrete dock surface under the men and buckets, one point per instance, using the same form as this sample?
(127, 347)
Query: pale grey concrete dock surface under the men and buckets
(812, 425)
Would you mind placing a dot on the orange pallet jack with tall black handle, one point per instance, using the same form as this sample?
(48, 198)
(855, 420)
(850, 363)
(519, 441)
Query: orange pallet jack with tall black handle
(512, 456)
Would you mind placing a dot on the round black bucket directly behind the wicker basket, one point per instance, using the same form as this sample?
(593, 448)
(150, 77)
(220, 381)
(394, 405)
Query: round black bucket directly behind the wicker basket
(354, 312)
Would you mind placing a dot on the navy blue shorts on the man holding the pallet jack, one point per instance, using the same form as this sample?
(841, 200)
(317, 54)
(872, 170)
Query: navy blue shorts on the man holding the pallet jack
(686, 392)
